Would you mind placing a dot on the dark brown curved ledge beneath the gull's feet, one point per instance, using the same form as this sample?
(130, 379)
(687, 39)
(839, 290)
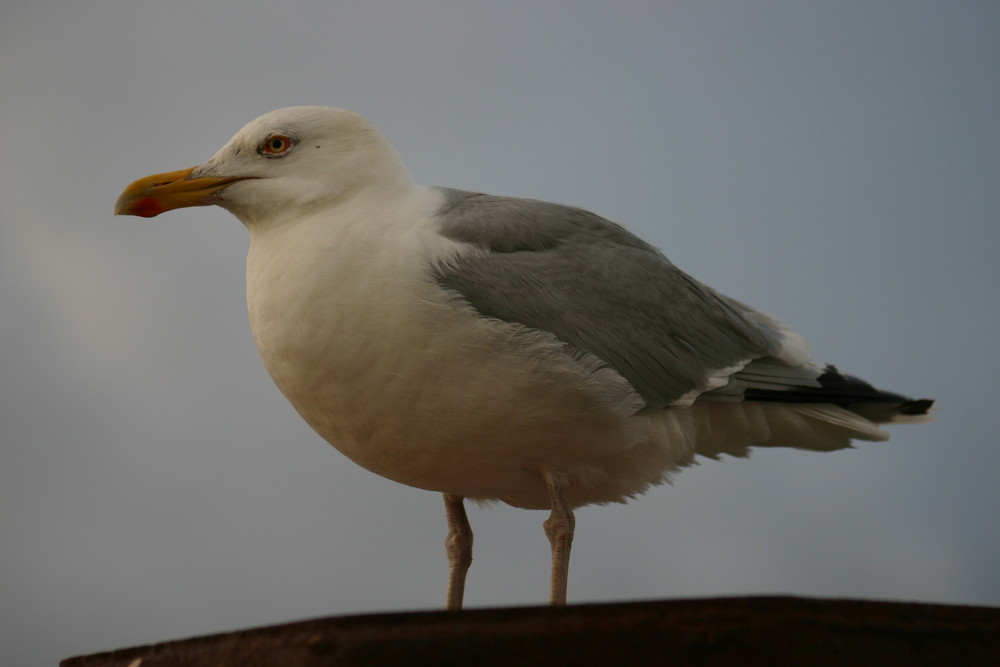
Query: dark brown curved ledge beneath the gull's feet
(716, 631)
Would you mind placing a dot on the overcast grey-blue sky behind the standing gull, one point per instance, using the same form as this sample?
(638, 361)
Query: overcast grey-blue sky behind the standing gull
(834, 164)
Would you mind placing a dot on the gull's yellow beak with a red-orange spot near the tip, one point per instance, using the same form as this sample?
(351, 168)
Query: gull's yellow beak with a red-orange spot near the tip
(150, 196)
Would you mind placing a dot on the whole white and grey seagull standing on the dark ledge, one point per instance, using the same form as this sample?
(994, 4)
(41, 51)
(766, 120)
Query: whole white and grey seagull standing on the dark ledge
(495, 348)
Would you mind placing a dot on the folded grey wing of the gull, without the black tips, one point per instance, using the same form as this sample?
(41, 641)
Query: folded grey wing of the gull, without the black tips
(600, 289)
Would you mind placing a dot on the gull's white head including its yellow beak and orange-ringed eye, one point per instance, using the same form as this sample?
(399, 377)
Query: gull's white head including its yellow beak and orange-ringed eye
(280, 165)
